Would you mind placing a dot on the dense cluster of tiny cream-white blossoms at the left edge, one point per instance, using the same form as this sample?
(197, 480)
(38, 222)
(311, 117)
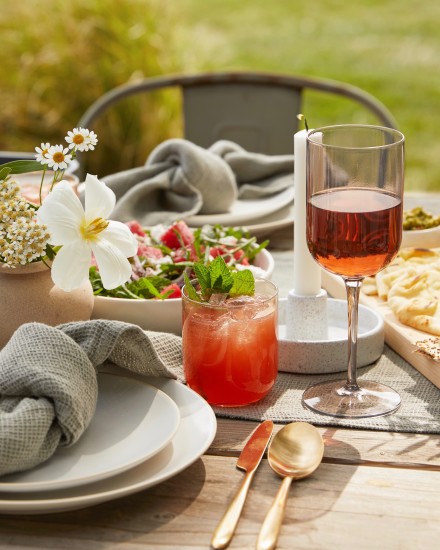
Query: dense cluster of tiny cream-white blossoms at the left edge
(22, 238)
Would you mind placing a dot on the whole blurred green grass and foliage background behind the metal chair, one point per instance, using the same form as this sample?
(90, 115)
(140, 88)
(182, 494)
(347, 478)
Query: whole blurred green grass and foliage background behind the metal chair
(56, 60)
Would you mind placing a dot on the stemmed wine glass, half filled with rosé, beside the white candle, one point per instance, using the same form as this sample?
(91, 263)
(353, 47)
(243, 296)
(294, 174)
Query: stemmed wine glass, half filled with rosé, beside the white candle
(354, 229)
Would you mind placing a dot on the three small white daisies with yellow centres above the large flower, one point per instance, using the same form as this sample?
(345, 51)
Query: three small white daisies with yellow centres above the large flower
(58, 157)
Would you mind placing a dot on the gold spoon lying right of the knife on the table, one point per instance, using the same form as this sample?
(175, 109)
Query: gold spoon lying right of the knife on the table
(295, 452)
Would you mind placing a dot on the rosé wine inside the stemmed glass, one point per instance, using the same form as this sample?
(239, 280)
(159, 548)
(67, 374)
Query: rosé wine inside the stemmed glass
(354, 232)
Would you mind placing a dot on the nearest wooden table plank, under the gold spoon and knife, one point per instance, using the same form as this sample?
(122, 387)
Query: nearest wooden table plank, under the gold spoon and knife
(340, 506)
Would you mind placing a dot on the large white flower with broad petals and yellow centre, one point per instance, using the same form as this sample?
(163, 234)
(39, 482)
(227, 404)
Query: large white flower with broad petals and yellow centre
(81, 232)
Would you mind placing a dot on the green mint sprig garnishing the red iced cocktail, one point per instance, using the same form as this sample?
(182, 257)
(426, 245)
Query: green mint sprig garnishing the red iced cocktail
(217, 278)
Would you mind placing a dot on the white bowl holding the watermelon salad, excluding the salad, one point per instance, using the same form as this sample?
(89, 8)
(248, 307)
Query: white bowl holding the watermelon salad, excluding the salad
(159, 315)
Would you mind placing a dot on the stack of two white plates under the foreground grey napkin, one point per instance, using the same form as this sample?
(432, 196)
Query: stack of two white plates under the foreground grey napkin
(144, 431)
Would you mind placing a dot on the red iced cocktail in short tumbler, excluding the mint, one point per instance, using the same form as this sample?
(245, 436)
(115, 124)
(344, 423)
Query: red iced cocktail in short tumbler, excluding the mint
(230, 348)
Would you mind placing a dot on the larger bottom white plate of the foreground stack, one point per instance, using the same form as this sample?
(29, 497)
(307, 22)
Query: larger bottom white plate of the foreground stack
(194, 435)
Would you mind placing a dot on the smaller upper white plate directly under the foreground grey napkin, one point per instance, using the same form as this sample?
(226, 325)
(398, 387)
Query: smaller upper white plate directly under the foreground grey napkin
(133, 421)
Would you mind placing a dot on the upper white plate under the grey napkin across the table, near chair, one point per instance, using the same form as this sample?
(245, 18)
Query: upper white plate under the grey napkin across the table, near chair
(245, 211)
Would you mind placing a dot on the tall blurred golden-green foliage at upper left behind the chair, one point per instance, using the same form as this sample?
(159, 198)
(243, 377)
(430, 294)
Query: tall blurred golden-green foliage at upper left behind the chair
(60, 57)
